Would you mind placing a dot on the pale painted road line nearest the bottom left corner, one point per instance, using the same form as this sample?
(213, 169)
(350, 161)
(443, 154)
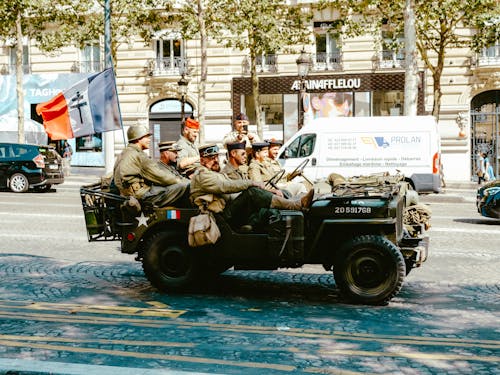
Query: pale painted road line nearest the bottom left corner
(166, 357)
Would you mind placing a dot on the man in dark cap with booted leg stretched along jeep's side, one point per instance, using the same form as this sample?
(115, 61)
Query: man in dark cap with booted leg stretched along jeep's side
(249, 207)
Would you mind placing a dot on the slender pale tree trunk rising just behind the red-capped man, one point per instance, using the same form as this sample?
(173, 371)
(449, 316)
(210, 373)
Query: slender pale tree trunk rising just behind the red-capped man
(204, 70)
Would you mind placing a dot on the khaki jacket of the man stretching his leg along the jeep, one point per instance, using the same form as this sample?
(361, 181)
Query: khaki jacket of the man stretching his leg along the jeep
(205, 181)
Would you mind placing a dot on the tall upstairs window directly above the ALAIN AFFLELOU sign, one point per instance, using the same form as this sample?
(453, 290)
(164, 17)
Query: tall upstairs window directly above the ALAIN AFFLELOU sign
(328, 53)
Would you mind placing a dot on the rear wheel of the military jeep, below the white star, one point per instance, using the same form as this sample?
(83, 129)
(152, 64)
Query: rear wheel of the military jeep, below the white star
(168, 262)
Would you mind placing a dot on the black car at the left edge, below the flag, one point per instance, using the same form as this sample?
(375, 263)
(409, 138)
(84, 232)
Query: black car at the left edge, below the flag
(24, 166)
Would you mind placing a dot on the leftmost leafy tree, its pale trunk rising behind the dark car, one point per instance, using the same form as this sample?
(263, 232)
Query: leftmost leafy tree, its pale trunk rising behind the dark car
(36, 20)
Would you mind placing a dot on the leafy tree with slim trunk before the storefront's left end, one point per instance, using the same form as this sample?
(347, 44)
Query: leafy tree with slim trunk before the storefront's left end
(260, 27)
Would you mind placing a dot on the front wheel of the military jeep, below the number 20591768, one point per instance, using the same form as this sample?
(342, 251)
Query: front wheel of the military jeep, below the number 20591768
(369, 269)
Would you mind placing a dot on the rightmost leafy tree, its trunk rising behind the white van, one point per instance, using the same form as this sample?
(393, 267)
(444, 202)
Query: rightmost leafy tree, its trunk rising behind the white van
(438, 25)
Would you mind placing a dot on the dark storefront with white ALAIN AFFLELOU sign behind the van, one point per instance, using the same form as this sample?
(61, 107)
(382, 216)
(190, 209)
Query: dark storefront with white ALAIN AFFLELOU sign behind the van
(332, 95)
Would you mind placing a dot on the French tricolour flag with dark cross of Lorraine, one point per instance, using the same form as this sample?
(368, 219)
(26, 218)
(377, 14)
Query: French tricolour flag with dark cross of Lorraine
(90, 106)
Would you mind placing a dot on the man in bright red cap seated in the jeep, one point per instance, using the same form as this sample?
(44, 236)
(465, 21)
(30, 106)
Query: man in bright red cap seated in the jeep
(188, 157)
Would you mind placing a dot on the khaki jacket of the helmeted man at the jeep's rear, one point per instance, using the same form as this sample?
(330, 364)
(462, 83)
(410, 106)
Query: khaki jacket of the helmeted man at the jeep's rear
(134, 172)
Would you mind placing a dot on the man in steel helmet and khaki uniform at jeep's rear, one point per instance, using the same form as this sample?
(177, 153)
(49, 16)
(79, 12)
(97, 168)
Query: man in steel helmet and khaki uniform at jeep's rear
(135, 174)
